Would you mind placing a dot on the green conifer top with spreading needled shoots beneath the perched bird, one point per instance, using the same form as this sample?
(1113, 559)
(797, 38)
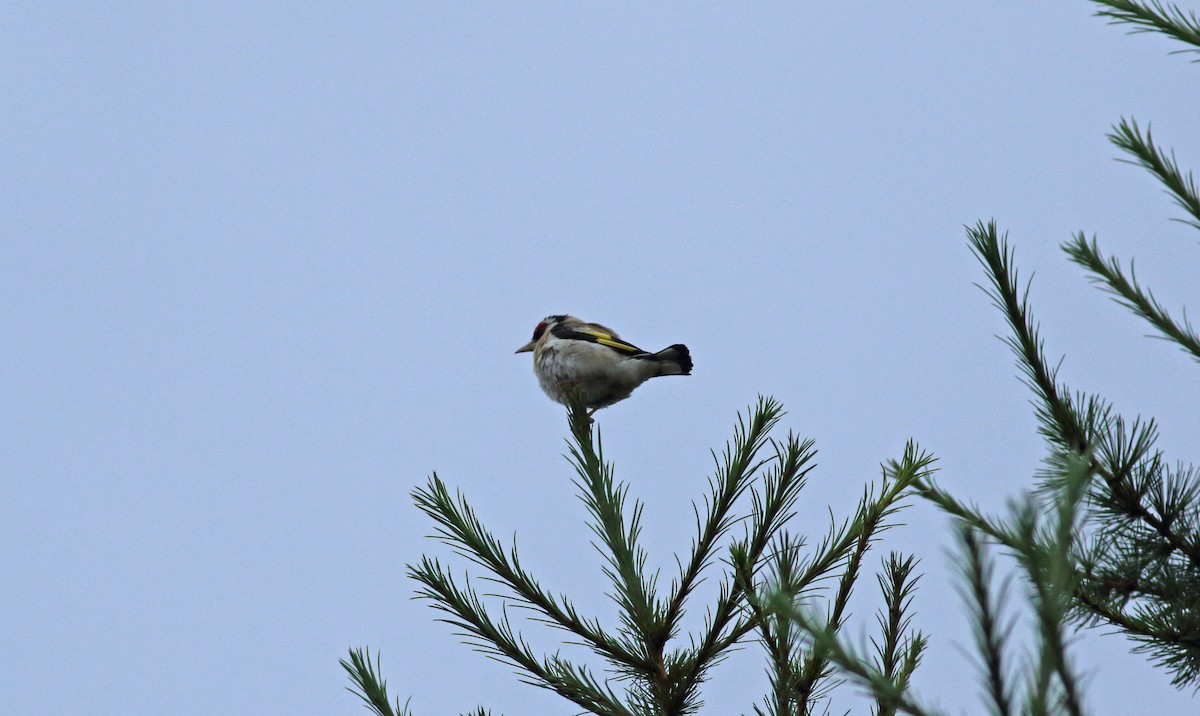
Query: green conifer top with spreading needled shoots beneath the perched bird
(646, 665)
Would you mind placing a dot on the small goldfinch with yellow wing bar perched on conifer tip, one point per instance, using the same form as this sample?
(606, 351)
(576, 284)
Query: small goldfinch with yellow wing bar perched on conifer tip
(592, 364)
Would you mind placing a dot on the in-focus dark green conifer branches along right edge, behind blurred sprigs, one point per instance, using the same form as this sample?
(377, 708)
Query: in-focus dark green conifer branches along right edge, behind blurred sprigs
(1138, 564)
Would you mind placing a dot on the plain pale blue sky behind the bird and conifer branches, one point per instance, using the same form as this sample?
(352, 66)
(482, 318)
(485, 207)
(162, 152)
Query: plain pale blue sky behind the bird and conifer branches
(266, 266)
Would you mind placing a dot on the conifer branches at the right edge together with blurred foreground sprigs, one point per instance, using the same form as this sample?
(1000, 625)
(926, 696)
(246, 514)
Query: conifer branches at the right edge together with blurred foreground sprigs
(1112, 536)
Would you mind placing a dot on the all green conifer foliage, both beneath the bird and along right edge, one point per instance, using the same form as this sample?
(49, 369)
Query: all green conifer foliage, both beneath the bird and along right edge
(1111, 537)
